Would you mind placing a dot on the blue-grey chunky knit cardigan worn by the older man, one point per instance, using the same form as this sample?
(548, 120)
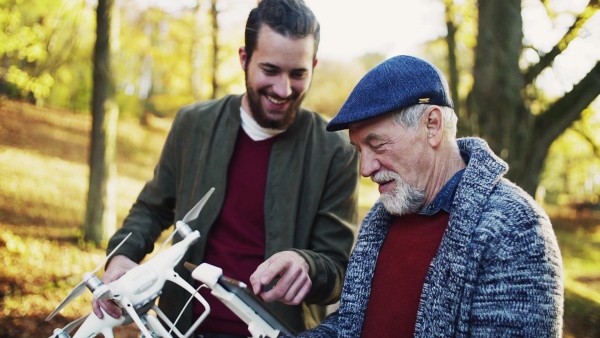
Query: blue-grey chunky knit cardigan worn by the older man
(497, 273)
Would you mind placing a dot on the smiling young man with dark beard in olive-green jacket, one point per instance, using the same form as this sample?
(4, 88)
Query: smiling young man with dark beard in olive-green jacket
(285, 188)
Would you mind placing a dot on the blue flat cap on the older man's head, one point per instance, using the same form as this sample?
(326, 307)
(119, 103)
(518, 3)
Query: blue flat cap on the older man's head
(394, 84)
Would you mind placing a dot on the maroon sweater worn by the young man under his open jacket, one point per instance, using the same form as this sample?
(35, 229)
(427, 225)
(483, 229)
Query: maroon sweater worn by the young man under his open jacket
(236, 242)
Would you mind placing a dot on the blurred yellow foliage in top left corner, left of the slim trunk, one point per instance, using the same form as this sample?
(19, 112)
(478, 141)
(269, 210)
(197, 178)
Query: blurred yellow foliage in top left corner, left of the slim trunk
(45, 48)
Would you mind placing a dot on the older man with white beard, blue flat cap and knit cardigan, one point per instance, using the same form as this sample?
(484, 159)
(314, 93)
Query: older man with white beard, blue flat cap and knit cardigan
(452, 249)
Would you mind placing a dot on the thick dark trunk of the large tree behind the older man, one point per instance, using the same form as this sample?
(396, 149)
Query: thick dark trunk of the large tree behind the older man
(502, 118)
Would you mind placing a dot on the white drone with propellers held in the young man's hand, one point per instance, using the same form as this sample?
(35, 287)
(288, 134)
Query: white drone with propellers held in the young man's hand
(137, 290)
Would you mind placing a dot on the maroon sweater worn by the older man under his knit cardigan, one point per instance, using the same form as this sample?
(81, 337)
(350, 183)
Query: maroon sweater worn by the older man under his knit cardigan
(408, 249)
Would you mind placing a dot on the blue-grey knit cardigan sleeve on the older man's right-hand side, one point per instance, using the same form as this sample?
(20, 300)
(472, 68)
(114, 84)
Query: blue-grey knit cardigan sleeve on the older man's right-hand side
(519, 288)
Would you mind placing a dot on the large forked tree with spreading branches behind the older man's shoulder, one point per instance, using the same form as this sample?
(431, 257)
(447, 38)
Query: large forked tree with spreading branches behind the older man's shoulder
(506, 105)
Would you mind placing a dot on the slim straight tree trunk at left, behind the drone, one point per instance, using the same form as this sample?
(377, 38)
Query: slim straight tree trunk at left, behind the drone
(100, 217)
